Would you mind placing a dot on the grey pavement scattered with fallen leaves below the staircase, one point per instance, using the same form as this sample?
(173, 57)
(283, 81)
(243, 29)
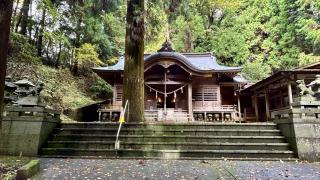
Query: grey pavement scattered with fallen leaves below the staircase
(174, 169)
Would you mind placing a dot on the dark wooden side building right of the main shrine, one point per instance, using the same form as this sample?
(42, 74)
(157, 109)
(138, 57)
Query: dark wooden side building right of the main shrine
(276, 93)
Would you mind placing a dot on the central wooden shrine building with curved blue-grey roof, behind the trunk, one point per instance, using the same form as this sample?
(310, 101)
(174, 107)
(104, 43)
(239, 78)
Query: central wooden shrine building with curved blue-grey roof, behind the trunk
(180, 87)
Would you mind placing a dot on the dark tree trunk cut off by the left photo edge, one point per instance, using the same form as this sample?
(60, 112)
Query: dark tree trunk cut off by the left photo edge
(5, 18)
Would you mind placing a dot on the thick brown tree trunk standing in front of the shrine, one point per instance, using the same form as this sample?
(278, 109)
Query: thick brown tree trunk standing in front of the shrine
(133, 80)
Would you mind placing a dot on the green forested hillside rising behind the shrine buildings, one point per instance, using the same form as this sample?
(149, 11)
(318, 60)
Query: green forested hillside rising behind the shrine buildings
(66, 38)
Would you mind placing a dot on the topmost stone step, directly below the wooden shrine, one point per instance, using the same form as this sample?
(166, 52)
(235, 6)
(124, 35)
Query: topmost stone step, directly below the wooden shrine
(194, 125)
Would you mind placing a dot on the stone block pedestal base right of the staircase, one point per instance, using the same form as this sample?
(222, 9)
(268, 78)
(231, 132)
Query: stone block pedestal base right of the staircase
(301, 127)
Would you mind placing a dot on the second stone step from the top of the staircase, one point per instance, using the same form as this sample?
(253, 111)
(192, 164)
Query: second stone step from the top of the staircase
(194, 132)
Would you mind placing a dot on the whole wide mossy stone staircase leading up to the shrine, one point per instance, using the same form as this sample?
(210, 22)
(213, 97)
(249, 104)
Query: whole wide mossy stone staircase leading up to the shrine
(170, 141)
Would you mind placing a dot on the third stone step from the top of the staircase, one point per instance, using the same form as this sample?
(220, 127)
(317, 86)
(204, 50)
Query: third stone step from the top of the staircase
(169, 138)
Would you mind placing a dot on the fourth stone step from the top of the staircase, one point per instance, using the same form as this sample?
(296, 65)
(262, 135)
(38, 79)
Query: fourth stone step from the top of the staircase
(168, 145)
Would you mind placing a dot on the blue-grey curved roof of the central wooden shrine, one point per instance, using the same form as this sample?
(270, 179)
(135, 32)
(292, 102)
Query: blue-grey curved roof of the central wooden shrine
(203, 62)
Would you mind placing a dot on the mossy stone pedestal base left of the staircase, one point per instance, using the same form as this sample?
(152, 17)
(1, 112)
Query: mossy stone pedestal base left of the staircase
(25, 129)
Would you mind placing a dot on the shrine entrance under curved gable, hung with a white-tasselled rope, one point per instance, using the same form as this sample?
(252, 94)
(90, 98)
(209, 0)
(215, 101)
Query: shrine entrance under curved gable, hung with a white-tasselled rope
(166, 93)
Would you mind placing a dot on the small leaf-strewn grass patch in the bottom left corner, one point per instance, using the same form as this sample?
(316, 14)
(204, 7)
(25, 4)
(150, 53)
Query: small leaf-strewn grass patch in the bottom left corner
(10, 164)
